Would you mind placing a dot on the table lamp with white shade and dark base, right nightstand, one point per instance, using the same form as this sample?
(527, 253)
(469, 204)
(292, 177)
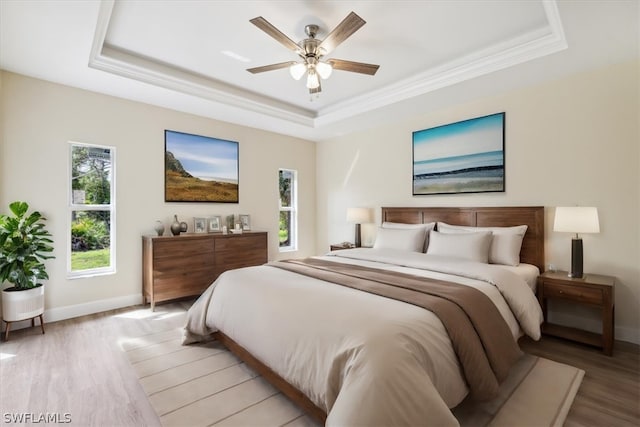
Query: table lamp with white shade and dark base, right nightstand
(576, 219)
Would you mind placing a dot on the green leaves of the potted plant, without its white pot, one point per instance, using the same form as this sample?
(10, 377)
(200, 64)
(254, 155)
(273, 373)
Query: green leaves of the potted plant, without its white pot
(24, 245)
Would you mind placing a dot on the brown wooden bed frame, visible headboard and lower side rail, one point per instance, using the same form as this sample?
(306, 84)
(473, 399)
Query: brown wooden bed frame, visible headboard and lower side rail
(532, 253)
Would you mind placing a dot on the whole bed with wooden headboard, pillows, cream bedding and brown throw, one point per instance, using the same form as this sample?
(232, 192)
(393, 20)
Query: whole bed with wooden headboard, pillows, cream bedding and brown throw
(346, 335)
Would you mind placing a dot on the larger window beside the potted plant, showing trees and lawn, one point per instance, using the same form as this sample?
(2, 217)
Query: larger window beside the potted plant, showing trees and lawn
(91, 210)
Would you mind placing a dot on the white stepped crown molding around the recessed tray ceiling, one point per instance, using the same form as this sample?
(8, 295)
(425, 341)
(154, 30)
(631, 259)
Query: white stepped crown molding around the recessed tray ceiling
(521, 49)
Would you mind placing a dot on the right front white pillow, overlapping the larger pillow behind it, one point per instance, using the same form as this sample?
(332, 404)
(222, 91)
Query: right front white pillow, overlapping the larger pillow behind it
(469, 246)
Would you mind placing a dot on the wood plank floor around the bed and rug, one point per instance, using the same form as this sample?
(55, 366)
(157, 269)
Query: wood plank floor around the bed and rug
(78, 368)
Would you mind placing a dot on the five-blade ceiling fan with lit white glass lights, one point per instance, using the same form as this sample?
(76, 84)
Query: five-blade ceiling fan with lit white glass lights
(311, 51)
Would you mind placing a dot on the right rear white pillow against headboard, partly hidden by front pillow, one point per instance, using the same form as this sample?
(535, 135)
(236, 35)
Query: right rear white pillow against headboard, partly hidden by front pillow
(506, 243)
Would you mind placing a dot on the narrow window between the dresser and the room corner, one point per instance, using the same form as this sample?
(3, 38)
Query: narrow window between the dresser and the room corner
(288, 210)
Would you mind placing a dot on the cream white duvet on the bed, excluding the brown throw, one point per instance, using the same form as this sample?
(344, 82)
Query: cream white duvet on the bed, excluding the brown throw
(364, 359)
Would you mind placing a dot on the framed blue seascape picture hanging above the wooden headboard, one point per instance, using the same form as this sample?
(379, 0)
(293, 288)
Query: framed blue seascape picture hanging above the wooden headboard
(461, 157)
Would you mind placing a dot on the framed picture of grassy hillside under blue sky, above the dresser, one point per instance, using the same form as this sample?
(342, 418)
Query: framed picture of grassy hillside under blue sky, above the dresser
(200, 168)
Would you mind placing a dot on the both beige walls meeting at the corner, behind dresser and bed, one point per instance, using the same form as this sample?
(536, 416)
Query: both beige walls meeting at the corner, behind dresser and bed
(572, 141)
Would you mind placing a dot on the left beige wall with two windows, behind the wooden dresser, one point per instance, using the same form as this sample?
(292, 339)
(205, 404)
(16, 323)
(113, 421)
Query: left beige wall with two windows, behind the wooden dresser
(38, 120)
